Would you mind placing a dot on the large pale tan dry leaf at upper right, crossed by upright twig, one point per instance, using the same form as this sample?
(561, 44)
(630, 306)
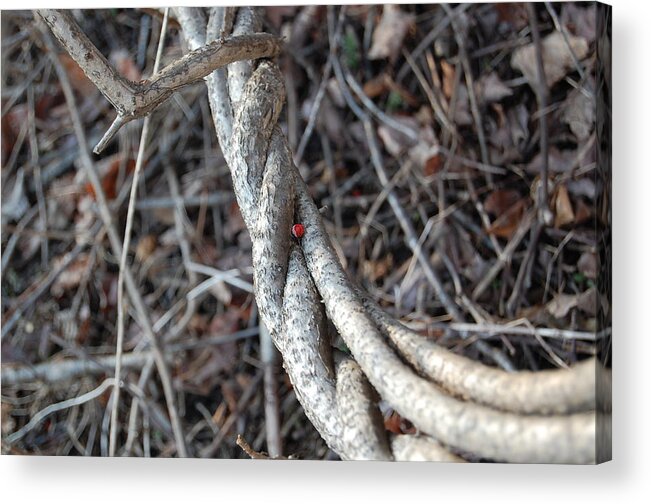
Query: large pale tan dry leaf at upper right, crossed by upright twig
(557, 57)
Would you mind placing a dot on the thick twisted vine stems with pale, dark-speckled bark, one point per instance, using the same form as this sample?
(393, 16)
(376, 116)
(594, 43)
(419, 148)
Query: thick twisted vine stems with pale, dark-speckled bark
(457, 405)
